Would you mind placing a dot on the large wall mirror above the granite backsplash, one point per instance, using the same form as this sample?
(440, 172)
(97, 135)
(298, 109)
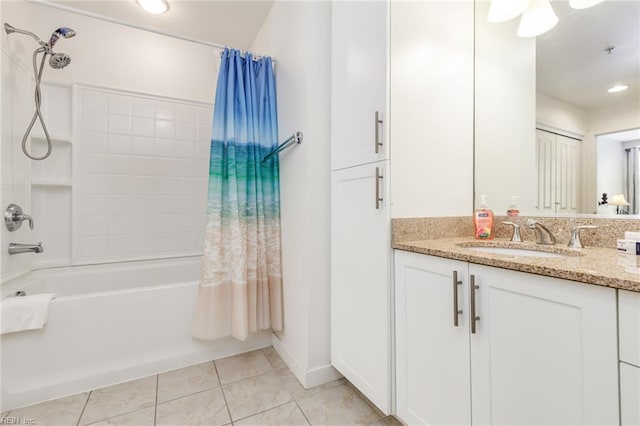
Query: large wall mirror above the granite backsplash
(547, 132)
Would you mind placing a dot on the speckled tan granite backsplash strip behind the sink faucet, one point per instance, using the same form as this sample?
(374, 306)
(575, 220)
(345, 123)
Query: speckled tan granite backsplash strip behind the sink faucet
(611, 229)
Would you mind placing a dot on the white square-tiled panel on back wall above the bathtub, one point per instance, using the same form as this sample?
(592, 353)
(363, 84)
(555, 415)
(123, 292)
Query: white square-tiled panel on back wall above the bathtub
(142, 175)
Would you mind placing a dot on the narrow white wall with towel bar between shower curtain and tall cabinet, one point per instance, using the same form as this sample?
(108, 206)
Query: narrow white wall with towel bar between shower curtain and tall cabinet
(297, 35)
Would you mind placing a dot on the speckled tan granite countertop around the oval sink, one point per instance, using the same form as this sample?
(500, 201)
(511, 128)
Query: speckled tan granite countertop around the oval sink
(592, 265)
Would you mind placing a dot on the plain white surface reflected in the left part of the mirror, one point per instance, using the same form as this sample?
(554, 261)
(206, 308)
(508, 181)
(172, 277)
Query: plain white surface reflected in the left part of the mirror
(505, 148)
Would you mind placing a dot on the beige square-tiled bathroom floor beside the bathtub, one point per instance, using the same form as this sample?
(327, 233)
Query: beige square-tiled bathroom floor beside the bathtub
(255, 388)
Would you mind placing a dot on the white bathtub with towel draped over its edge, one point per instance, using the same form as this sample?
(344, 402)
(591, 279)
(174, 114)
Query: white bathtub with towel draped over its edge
(108, 324)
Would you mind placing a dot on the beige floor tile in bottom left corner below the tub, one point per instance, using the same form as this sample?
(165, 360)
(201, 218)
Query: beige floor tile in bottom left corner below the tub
(63, 411)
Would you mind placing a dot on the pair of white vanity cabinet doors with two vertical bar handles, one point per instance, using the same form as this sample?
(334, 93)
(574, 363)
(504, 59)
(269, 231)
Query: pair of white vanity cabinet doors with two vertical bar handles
(541, 350)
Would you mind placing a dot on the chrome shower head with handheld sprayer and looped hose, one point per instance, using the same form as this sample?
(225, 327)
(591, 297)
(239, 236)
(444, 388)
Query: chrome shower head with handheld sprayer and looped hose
(56, 61)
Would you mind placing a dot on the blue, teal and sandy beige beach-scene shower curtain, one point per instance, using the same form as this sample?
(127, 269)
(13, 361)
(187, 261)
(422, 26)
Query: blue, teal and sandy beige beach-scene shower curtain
(241, 285)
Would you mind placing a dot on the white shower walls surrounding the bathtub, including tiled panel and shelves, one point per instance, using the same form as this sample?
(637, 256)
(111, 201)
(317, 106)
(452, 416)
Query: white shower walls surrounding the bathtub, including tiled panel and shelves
(169, 174)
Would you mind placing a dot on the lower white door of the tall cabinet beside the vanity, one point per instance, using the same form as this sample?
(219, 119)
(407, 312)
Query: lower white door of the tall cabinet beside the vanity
(360, 280)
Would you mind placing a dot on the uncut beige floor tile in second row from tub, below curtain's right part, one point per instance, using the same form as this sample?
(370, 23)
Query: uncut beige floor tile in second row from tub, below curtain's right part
(255, 394)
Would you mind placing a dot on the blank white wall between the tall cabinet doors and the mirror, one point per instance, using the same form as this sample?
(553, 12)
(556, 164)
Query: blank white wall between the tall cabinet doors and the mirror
(431, 108)
